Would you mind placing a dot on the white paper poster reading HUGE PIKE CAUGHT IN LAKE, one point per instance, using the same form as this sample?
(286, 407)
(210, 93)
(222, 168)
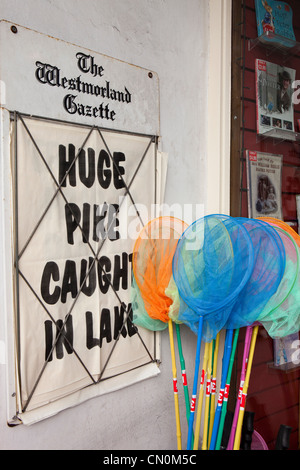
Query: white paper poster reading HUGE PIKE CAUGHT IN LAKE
(76, 223)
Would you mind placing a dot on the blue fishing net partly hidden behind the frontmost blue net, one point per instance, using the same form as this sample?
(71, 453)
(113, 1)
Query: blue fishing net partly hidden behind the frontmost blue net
(268, 269)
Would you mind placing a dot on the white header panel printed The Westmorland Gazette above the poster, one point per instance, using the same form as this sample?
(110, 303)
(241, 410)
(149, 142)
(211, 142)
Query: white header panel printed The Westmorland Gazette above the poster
(43, 76)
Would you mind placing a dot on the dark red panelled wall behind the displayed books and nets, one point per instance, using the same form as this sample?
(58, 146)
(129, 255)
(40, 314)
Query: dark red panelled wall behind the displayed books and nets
(273, 395)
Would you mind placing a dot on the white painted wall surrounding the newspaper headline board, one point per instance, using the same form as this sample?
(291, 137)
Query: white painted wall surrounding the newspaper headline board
(170, 37)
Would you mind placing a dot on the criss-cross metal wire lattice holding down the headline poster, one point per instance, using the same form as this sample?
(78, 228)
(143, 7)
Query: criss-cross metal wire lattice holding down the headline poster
(60, 330)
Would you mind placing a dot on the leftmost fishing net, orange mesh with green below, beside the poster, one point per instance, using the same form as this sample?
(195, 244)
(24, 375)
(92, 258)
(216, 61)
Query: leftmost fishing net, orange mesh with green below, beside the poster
(154, 294)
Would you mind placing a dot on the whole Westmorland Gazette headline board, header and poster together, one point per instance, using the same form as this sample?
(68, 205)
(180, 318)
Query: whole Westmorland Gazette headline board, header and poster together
(84, 148)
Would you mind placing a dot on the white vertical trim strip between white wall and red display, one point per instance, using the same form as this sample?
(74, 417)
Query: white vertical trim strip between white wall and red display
(217, 199)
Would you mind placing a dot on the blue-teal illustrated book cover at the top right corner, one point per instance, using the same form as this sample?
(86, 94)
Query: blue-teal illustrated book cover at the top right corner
(275, 21)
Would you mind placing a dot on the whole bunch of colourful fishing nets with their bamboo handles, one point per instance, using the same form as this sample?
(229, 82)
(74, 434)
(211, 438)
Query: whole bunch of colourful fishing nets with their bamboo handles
(218, 274)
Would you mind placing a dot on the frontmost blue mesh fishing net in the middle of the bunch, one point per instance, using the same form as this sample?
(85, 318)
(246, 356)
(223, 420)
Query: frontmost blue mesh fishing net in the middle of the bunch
(212, 263)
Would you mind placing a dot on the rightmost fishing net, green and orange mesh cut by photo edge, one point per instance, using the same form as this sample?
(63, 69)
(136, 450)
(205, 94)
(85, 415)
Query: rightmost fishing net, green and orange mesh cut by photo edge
(281, 315)
